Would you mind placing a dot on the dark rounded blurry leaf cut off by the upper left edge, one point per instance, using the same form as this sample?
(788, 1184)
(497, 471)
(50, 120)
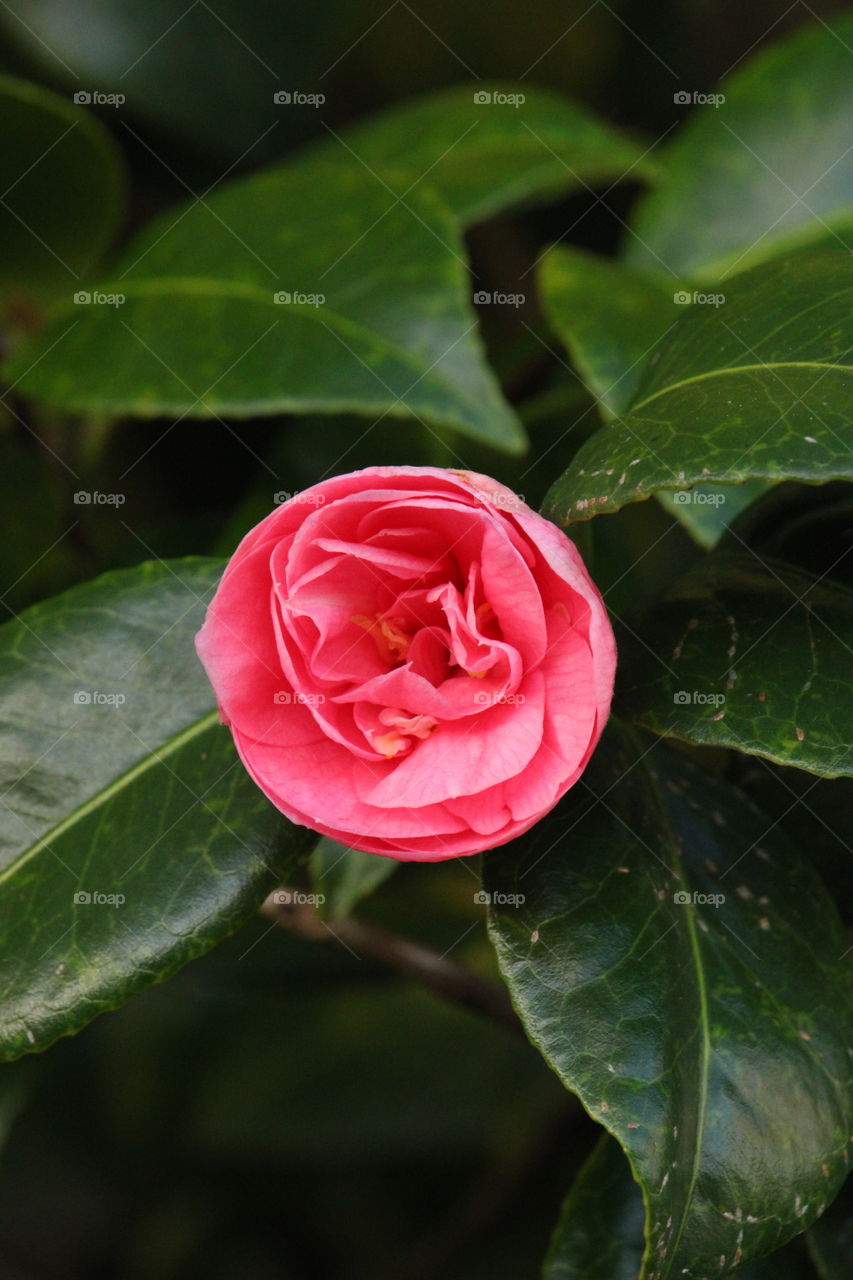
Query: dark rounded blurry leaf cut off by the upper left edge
(63, 186)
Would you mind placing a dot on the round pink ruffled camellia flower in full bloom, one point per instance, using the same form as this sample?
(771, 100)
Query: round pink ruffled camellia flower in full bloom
(412, 661)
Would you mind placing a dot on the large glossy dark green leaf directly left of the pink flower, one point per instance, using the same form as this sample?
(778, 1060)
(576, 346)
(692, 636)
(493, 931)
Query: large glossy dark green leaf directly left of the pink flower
(118, 783)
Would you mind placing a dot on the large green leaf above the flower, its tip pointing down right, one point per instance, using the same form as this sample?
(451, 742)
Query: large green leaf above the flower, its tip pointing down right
(387, 327)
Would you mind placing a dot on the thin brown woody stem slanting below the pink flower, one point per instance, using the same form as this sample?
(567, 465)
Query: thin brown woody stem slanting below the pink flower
(363, 940)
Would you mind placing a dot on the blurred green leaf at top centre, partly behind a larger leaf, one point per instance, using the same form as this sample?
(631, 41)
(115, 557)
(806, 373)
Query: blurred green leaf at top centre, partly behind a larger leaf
(485, 150)
